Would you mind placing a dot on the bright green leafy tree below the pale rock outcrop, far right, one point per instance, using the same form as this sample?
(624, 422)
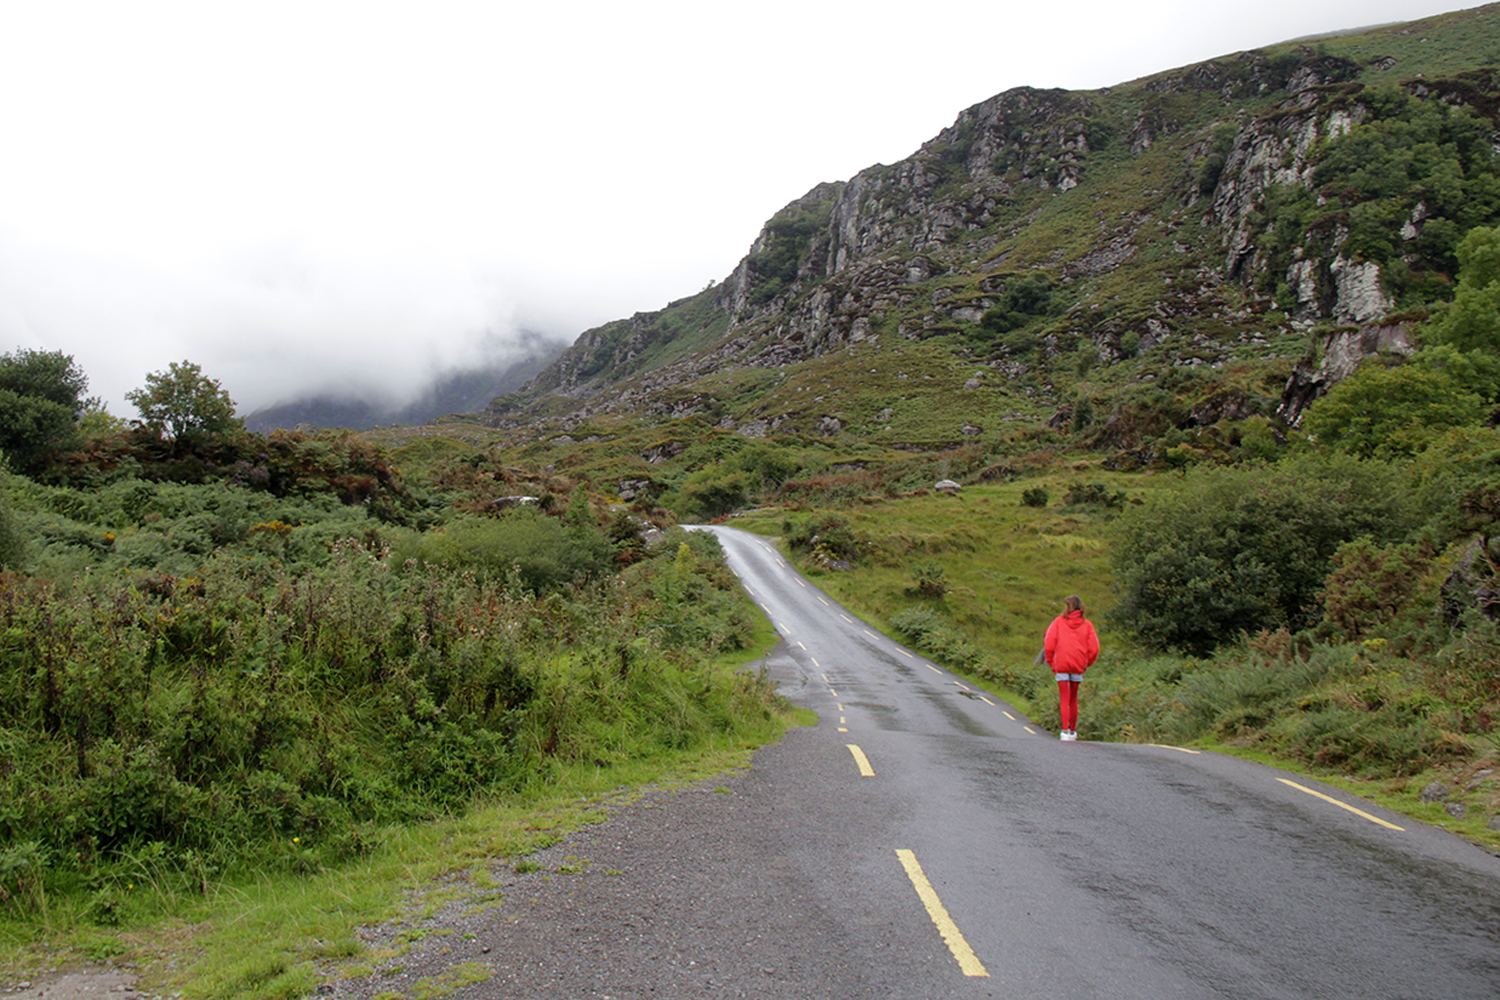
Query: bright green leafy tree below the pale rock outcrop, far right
(1391, 412)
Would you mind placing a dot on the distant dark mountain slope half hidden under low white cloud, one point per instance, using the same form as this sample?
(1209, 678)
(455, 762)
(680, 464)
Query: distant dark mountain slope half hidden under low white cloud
(463, 392)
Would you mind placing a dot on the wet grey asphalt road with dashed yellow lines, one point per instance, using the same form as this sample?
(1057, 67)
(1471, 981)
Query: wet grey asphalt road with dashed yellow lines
(925, 840)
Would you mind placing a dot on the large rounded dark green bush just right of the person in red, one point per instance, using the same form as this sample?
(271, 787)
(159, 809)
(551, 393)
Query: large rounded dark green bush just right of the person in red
(1247, 548)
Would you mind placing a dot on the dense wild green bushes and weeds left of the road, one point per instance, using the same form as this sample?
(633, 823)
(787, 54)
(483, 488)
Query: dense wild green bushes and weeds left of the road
(247, 717)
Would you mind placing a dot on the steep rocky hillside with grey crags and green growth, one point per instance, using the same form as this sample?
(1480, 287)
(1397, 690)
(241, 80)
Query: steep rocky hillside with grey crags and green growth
(1178, 254)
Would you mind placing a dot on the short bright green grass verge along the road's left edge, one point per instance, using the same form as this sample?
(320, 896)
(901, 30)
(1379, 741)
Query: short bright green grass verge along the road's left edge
(266, 935)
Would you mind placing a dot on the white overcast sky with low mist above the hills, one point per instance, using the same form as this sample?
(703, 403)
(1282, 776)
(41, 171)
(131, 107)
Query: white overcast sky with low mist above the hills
(302, 196)
